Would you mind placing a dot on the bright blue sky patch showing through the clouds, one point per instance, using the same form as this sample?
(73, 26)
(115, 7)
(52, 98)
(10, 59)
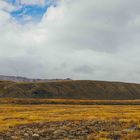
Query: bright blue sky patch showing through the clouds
(24, 13)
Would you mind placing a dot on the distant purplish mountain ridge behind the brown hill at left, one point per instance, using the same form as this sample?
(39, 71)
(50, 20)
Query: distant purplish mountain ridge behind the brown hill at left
(24, 79)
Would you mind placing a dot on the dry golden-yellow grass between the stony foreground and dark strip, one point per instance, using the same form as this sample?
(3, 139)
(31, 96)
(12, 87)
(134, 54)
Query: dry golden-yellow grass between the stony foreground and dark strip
(11, 115)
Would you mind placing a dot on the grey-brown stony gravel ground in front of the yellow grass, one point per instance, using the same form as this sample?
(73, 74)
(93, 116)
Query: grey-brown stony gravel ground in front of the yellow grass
(72, 130)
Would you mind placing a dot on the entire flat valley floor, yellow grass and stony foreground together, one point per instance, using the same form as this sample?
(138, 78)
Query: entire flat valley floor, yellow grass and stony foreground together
(69, 122)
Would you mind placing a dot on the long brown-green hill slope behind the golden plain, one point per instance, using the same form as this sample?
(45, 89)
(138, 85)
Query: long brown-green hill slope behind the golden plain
(96, 90)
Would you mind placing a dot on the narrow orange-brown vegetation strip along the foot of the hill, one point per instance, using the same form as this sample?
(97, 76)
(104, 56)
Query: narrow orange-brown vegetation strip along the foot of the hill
(67, 101)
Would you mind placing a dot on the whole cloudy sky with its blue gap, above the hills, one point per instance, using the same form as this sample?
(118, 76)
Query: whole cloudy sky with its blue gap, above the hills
(78, 39)
